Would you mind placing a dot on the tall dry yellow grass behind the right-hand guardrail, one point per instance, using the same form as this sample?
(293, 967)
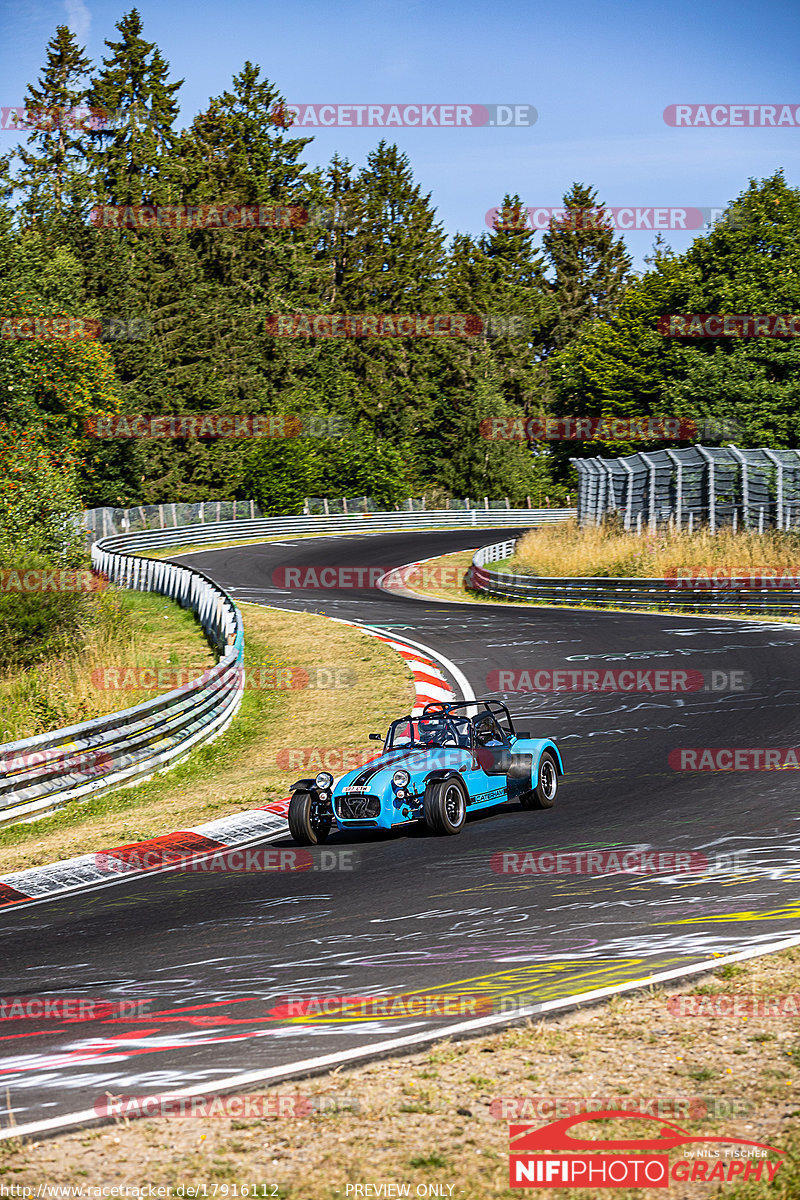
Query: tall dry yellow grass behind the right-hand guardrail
(567, 549)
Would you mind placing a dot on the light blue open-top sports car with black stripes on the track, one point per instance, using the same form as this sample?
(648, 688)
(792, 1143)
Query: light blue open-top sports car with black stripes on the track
(454, 759)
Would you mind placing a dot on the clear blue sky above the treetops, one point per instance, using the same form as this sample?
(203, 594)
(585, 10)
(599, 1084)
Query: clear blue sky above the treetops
(599, 75)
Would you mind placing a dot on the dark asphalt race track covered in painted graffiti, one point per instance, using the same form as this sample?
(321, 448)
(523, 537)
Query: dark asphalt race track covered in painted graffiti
(212, 956)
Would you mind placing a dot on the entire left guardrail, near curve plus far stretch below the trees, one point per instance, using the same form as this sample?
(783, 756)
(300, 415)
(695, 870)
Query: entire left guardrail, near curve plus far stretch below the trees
(41, 775)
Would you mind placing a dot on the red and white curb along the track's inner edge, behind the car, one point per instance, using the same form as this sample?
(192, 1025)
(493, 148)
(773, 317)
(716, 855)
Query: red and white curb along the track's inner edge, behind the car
(172, 851)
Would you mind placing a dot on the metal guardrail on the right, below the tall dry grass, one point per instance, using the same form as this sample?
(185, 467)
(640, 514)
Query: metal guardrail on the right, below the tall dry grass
(623, 593)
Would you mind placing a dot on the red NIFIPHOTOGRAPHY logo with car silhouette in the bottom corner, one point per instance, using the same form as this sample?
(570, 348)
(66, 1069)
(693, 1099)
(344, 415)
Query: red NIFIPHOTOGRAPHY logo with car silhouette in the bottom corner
(552, 1157)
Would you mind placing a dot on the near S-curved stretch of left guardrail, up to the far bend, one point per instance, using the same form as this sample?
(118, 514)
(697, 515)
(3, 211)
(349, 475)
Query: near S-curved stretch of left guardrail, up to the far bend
(44, 773)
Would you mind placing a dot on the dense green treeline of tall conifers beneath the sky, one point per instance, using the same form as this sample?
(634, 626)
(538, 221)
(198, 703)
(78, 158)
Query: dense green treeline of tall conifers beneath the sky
(408, 412)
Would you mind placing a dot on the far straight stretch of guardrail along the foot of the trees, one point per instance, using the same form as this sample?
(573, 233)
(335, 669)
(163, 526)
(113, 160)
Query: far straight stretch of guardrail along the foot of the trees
(359, 523)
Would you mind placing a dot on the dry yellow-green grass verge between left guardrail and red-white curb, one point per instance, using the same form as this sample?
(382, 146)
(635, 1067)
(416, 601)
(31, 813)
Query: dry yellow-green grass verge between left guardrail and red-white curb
(239, 770)
